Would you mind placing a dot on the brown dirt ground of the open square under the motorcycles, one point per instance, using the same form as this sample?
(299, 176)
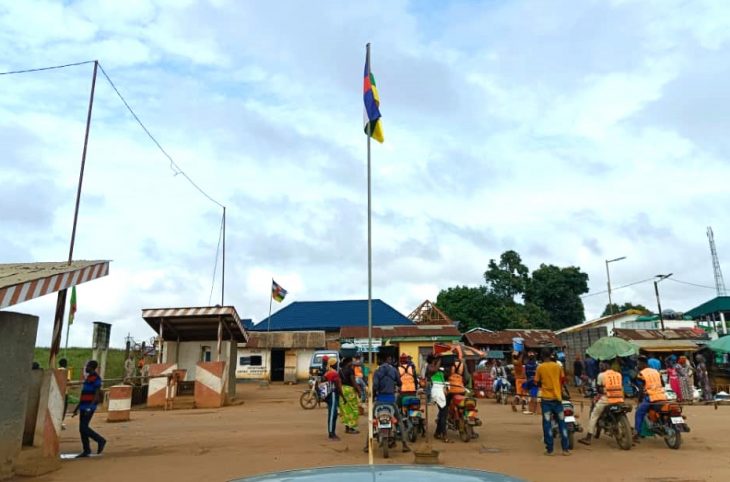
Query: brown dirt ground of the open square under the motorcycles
(270, 432)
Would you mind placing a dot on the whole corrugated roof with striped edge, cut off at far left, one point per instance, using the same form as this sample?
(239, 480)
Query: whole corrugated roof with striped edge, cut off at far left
(21, 282)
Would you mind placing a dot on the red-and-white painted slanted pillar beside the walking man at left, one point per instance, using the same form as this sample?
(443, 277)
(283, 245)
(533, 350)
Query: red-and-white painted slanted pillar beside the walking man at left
(50, 412)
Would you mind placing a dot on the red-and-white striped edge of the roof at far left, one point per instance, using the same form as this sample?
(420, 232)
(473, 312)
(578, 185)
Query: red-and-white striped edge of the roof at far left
(46, 282)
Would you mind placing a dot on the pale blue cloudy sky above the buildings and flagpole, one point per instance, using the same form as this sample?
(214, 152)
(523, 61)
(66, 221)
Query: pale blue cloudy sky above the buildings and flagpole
(570, 131)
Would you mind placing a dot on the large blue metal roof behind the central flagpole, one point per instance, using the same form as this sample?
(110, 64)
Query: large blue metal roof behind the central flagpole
(331, 316)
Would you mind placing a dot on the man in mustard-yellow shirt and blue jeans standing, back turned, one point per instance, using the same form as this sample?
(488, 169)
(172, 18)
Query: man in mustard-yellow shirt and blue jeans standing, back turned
(550, 378)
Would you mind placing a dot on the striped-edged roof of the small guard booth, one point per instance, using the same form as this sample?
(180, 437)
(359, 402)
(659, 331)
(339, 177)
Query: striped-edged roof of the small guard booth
(195, 323)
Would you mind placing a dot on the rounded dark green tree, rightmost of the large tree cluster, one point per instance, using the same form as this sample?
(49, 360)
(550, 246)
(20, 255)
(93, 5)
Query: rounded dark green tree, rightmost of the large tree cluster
(557, 291)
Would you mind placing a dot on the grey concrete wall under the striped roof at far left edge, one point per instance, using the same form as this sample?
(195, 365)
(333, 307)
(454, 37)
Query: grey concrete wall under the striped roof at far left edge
(17, 339)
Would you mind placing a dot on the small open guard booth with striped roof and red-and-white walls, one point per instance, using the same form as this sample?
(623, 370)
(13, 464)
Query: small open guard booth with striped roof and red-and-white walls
(197, 354)
